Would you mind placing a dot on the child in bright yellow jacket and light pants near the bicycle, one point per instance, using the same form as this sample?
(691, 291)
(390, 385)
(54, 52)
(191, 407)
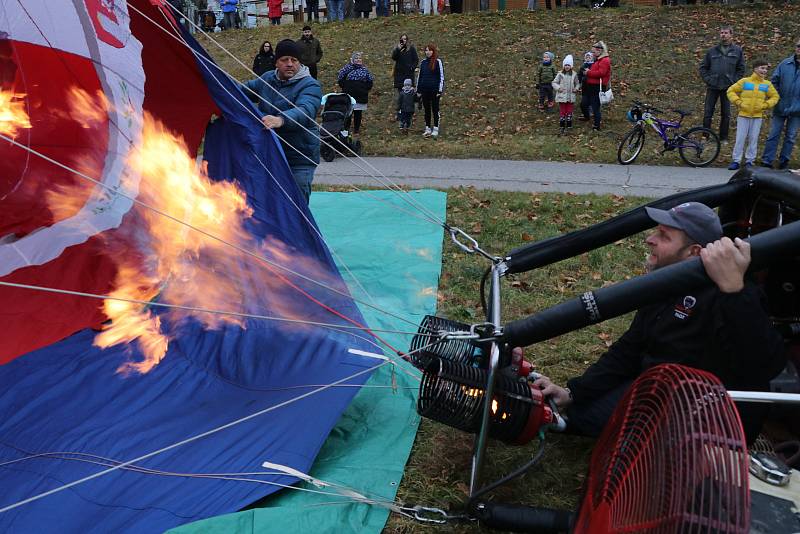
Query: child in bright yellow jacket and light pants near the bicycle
(753, 95)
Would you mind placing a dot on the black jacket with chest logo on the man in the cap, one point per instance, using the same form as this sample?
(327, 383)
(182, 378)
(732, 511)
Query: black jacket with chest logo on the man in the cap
(727, 334)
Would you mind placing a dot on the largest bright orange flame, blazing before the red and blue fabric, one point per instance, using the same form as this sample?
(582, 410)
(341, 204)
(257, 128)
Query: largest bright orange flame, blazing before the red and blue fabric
(193, 269)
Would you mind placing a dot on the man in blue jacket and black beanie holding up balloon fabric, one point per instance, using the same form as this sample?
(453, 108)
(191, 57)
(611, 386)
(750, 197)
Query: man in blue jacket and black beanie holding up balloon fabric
(290, 98)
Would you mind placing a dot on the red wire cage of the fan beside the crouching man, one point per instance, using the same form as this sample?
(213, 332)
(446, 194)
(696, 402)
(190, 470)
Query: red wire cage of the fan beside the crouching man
(673, 459)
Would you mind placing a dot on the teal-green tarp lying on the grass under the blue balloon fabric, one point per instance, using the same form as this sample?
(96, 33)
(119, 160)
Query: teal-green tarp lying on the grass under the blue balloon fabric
(396, 258)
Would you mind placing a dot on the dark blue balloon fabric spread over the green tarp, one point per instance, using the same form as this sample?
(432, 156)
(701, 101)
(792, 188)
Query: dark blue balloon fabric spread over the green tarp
(66, 414)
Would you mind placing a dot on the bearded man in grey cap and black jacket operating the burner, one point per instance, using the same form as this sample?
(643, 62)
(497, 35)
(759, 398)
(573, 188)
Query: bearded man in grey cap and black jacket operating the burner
(723, 329)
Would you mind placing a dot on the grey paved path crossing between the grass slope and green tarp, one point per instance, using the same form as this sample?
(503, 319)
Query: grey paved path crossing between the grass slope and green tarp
(529, 176)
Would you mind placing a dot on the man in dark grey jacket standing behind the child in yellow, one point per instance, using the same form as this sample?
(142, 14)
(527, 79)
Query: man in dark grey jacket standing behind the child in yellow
(722, 66)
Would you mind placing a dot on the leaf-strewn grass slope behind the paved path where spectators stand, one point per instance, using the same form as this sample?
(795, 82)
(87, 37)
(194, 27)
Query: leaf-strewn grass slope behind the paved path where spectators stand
(488, 110)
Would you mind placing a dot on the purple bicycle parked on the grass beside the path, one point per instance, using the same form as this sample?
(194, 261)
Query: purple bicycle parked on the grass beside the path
(697, 147)
